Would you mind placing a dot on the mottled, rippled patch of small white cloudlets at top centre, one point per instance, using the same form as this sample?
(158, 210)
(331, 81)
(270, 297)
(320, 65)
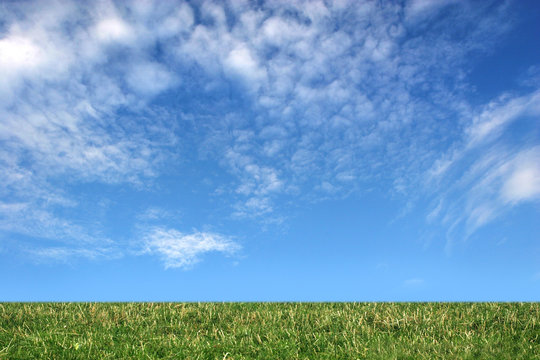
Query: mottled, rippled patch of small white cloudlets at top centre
(370, 126)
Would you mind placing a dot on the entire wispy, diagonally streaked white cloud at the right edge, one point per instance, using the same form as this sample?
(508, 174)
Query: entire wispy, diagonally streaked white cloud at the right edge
(489, 170)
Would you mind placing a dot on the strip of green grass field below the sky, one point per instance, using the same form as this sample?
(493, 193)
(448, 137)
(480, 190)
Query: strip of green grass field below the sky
(270, 330)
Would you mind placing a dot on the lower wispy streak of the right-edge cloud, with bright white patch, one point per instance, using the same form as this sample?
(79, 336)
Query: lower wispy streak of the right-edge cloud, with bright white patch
(487, 188)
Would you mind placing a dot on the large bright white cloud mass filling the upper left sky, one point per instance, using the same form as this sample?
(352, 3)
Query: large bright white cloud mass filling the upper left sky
(60, 89)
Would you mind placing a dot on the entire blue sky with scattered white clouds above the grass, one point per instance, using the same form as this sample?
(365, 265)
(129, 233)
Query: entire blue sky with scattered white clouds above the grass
(270, 150)
